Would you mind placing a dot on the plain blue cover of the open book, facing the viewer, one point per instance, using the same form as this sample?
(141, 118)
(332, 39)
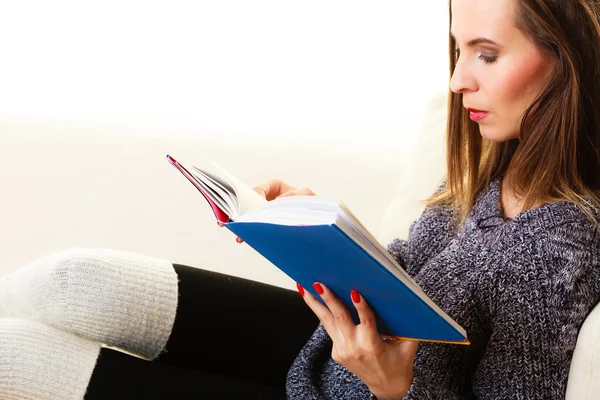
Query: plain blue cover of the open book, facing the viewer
(323, 253)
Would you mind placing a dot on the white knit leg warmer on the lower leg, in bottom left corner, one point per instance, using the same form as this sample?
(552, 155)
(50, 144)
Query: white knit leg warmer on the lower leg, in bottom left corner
(38, 362)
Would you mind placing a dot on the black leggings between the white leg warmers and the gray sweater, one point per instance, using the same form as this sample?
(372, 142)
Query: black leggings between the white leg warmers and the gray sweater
(232, 338)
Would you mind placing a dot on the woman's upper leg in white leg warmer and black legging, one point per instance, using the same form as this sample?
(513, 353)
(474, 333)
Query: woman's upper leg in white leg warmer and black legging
(218, 324)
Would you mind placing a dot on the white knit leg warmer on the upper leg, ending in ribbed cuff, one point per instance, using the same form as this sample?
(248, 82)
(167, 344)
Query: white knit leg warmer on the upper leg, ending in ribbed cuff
(123, 300)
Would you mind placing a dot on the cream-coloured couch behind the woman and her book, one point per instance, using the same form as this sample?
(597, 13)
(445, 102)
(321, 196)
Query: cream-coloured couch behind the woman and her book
(65, 189)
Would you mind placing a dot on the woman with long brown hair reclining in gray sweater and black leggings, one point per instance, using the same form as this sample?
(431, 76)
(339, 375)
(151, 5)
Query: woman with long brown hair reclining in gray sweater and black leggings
(507, 247)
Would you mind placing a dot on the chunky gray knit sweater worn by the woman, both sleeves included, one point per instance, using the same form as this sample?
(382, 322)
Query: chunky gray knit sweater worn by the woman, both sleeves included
(521, 289)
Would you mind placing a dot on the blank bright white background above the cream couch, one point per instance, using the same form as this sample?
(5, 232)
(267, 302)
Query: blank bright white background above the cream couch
(301, 70)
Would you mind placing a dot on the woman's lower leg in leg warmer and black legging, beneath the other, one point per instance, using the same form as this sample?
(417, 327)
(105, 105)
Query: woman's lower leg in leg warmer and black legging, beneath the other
(38, 362)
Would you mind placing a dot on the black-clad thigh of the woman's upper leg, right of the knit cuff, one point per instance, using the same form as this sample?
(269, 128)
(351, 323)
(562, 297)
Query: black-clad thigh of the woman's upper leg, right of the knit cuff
(238, 327)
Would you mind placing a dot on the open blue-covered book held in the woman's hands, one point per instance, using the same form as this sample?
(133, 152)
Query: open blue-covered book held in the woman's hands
(324, 252)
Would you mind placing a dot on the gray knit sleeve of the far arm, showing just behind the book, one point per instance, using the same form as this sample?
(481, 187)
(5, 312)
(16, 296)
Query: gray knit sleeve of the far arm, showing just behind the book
(427, 236)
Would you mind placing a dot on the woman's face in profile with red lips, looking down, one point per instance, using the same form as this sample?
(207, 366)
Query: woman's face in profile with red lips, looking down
(499, 71)
